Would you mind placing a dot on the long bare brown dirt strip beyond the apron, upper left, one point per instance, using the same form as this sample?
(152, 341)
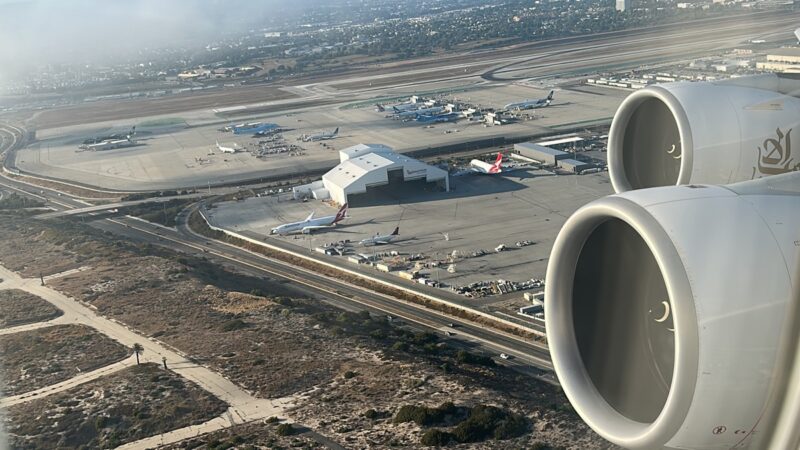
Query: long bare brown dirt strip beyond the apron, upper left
(128, 109)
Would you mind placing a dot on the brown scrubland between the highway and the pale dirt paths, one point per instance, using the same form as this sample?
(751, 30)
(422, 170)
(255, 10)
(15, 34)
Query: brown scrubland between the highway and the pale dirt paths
(355, 371)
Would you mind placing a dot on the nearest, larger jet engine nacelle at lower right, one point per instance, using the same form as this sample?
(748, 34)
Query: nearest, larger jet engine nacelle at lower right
(664, 310)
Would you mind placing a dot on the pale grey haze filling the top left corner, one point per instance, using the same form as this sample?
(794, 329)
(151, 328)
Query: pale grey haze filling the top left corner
(37, 31)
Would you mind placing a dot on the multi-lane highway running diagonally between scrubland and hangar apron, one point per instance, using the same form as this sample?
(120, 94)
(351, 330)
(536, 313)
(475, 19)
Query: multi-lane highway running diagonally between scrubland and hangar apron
(527, 357)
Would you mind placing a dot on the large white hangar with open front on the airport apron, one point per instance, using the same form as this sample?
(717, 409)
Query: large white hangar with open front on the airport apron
(368, 167)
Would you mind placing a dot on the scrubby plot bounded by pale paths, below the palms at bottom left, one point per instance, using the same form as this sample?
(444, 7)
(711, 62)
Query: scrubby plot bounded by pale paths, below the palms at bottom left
(133, 404)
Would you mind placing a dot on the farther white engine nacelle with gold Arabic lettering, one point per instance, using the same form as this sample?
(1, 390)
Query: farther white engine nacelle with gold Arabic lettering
(711, 133)
